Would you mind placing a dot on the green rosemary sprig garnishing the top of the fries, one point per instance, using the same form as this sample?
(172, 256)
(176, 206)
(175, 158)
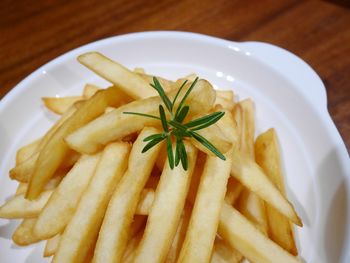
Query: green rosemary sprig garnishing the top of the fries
(175, 127)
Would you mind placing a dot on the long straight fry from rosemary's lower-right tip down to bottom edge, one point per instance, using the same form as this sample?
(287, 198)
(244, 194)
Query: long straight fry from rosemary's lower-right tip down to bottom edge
(206, 210)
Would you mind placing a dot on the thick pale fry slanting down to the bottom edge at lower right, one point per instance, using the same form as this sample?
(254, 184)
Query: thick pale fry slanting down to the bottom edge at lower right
(248, 240)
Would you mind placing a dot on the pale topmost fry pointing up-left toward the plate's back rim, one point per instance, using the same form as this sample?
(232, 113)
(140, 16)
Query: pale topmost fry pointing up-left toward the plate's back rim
(131, 83)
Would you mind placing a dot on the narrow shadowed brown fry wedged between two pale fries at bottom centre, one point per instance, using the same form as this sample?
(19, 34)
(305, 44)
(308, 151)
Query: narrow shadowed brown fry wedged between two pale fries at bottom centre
(176, 245)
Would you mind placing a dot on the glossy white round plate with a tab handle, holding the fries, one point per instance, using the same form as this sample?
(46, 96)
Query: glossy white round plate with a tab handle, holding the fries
(288, 95)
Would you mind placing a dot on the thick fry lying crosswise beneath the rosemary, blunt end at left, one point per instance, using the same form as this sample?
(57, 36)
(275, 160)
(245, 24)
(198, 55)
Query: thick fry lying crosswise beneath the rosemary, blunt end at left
(115, 125)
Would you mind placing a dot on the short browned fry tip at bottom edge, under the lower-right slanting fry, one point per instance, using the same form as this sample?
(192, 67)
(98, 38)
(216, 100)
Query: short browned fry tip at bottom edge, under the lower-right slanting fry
(223, 253)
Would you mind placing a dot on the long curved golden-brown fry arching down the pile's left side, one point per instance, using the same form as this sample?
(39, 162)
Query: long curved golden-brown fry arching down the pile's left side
(54, 152)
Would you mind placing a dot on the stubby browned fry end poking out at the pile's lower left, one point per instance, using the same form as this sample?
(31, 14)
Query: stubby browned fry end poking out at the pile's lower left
(23, 235)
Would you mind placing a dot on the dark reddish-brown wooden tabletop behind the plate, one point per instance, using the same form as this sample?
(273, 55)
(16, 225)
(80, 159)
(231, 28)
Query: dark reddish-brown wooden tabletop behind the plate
(34, 32)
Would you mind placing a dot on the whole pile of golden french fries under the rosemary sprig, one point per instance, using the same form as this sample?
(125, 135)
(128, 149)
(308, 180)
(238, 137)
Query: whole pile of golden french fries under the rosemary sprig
(89, 192)
